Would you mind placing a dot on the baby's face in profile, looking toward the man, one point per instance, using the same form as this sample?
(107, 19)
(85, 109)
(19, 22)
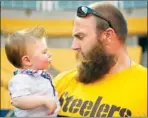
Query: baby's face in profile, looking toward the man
(40, 58)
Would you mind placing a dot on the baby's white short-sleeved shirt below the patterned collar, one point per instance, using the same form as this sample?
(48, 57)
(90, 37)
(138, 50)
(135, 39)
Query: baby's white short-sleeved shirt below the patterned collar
(23, 85)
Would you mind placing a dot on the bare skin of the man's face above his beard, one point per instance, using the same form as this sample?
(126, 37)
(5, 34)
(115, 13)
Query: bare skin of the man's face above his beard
(84, 33)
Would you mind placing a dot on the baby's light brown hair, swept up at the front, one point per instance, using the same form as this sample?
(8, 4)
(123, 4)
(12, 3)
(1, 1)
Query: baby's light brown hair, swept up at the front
(16, 43)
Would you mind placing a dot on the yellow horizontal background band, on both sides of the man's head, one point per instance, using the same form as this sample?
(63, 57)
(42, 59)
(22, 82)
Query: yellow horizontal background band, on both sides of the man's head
(136, 25)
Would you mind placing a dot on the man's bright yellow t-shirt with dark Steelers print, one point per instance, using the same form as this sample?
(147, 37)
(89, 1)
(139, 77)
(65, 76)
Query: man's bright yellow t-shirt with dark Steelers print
(121, 94)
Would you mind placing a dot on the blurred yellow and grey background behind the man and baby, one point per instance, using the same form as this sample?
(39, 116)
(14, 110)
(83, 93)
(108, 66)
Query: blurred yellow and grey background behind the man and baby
(57, 17)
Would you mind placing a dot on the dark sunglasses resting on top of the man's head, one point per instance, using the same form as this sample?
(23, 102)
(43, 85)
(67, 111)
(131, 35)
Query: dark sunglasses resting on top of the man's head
(83, 11)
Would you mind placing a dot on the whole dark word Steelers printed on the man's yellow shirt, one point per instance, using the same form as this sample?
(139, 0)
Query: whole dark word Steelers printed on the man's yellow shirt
(86, 107)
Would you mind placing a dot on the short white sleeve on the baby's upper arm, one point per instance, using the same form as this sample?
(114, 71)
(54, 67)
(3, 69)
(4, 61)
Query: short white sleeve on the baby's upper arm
(19, 86)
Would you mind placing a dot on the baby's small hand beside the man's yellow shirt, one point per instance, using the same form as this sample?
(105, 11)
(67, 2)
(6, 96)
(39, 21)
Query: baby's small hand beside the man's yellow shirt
(51, 105)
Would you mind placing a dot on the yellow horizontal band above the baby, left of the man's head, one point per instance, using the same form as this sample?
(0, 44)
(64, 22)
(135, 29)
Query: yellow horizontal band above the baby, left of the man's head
(53, 27)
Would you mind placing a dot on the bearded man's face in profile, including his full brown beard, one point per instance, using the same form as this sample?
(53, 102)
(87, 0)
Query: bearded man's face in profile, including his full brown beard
(95, 62)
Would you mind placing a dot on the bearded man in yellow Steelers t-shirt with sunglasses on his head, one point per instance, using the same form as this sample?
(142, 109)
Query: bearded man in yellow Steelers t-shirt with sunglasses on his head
(106, 83)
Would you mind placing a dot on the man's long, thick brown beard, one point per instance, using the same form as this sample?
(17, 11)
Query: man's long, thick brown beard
(95, 64)
